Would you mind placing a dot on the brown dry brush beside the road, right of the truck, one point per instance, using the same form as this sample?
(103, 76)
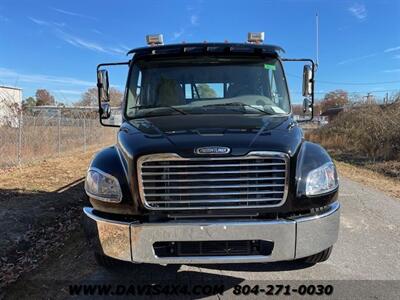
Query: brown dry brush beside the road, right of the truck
(370, 131)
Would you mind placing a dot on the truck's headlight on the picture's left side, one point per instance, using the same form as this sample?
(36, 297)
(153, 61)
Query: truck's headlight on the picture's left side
(102, 186)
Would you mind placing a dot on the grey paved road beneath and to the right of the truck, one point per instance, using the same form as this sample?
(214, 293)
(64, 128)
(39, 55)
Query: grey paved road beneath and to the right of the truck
(368, 248)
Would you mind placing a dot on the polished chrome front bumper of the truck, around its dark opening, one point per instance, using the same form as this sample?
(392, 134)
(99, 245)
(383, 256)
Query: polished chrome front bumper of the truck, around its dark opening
(293, 238)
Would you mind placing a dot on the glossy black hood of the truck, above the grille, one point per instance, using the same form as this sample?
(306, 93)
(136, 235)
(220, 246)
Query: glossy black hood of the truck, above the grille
(183, 133)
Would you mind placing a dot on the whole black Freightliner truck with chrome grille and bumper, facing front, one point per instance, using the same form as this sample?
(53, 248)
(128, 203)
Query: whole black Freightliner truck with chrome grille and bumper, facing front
(209, 164)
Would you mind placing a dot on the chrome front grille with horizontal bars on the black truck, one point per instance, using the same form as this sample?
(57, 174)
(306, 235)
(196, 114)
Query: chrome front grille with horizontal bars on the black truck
(170, 182)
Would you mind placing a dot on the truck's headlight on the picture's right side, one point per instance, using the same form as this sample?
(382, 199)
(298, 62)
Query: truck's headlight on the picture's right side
(322, 180)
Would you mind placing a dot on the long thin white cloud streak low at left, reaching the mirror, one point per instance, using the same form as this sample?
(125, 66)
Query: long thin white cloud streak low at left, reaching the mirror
(42, 79)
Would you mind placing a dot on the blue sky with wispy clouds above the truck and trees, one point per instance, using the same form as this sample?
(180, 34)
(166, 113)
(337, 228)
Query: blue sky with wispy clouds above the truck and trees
(57, 44)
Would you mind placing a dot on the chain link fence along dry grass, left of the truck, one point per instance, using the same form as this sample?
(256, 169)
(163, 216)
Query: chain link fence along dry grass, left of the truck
(43, 132)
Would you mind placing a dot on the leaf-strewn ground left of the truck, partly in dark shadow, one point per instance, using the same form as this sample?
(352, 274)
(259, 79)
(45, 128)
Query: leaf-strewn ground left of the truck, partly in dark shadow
(40, 205)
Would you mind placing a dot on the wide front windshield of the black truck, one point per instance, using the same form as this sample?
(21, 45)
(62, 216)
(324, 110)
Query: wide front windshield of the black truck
(203, 85)
